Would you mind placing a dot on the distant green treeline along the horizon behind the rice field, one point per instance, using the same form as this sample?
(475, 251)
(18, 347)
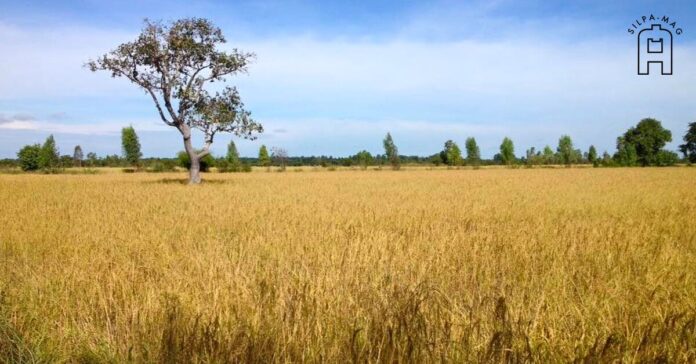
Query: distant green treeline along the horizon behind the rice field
(641, 145)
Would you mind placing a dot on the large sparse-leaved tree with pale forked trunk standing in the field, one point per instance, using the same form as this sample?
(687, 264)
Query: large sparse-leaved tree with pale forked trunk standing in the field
(174, 63)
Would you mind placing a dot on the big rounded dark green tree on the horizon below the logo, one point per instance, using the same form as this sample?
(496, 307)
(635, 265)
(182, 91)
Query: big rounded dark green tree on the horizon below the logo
(648, 138)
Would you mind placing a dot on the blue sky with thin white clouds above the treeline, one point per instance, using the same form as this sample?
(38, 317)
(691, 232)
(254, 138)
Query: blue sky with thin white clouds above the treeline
(332, 78)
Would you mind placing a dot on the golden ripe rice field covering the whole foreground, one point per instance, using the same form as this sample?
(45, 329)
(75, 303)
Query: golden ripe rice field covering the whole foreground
(497, 265)
